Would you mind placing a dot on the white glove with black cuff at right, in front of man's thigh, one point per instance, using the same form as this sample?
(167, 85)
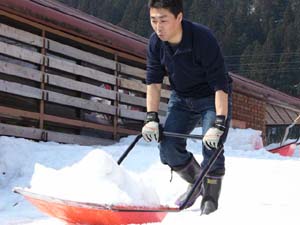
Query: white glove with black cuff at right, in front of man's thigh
(212, 138)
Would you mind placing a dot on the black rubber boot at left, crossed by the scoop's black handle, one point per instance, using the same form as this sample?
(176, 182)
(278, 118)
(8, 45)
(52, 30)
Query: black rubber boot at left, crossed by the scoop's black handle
(190, 172)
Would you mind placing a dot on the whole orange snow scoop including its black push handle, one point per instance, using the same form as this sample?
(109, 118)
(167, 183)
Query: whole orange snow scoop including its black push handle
(82, 213)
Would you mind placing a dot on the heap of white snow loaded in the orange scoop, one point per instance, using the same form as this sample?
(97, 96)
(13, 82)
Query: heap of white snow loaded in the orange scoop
(97, 178)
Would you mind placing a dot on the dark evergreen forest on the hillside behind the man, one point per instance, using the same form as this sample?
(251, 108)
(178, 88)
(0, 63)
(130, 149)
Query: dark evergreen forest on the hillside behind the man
(260, 39)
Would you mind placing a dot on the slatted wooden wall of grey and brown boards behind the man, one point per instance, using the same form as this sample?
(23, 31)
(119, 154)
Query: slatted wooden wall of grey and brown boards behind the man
(58, 89)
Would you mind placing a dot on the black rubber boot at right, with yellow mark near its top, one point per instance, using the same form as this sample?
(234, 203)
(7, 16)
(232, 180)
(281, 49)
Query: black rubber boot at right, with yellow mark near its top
(211, 192)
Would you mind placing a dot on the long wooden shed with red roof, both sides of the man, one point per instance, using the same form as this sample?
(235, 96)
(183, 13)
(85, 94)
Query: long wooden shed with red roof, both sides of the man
(69, 77)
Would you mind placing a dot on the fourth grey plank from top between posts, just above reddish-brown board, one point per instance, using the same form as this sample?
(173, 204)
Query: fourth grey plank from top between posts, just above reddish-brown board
(80, 103)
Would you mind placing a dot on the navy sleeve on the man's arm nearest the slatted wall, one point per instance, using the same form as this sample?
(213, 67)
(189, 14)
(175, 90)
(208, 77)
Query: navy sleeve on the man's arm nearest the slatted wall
(155, 70)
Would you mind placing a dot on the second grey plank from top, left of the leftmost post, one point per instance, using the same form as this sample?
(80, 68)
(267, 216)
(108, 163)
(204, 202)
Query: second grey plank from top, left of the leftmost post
(21, 53)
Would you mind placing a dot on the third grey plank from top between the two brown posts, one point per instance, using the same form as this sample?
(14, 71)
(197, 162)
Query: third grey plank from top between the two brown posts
(79, 86)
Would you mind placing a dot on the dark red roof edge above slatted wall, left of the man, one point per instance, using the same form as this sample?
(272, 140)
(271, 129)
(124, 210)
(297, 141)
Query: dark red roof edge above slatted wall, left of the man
(58, 16)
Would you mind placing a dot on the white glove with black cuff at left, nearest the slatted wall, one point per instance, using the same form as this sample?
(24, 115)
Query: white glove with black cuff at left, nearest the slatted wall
(152, 129)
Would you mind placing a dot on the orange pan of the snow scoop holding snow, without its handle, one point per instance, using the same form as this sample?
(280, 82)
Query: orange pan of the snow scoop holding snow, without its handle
(84, 213)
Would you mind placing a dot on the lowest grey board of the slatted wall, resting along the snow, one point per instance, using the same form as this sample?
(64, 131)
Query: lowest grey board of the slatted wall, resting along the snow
(34, 133)
